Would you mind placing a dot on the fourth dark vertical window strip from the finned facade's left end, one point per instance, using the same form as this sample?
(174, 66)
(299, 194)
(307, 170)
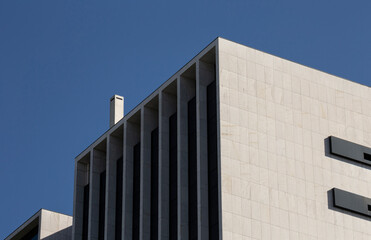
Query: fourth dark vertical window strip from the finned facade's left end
(136, 191)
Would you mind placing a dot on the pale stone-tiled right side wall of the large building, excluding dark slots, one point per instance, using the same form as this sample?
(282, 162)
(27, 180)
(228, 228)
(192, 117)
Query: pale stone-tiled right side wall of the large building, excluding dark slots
(275, 117)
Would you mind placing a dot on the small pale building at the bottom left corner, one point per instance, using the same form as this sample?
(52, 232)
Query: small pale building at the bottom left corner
(46, 225)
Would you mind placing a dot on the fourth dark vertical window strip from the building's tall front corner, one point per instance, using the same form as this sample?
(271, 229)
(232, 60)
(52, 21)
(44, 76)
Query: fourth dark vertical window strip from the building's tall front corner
(154, 184)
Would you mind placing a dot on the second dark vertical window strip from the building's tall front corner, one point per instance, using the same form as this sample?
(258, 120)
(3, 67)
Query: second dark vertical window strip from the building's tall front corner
(192, 170)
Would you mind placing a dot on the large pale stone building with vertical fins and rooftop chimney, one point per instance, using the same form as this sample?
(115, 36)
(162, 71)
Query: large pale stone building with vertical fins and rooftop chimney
(238, 144)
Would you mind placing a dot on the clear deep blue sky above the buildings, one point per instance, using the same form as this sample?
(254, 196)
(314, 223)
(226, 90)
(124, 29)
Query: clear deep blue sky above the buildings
(61, 61)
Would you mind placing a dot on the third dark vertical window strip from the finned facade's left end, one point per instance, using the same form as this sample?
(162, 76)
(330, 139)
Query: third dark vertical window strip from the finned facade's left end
(119, 182)
